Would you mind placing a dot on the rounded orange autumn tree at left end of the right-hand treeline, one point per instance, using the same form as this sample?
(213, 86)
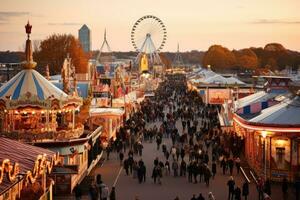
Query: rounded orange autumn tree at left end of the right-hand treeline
(219, 58)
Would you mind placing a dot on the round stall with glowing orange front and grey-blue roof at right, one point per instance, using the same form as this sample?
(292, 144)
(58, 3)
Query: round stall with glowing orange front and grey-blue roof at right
(272, 139)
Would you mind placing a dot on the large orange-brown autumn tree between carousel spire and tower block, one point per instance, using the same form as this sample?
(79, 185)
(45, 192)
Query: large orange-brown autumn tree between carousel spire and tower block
(55, 49)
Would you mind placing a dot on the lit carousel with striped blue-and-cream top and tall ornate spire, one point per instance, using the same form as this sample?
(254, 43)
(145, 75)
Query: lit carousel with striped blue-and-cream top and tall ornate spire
(31, 107)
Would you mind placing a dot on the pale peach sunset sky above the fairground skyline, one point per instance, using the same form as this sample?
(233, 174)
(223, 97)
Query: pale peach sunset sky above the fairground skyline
(195, 24)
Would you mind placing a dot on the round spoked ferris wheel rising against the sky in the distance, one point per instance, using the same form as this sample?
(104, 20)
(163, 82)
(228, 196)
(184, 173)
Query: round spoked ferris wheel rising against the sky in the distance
(148, 34)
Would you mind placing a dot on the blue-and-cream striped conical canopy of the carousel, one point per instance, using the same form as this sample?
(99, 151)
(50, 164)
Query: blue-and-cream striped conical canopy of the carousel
(30, 82)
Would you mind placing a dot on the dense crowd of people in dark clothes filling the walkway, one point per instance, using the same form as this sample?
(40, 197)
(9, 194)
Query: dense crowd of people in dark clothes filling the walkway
(198, 147)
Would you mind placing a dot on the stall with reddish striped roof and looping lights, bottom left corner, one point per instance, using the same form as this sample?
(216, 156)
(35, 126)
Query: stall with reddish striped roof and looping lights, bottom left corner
(25, 179)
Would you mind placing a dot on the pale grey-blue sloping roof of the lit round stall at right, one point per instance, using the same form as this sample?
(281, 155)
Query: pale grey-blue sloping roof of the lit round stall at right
(284, 113)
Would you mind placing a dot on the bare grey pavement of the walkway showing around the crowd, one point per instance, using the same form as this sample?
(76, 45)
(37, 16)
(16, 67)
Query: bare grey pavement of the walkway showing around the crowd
(128, 188)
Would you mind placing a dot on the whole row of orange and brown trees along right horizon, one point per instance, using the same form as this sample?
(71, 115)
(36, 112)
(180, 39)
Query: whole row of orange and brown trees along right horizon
(273, 56)
